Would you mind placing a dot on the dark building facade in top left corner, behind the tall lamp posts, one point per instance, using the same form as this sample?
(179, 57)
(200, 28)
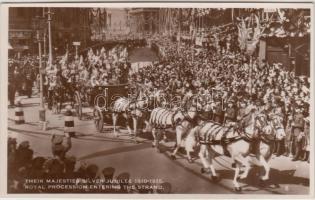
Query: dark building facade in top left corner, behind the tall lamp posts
(67, 25)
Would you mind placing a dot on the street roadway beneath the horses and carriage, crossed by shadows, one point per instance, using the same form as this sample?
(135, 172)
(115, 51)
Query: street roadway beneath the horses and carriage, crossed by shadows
(140, 160)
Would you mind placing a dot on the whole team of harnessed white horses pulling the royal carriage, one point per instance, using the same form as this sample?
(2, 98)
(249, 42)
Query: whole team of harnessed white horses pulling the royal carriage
(256, 137)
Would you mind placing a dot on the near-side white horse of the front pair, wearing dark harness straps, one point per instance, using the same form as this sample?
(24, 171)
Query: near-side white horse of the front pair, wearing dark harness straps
(238, 144)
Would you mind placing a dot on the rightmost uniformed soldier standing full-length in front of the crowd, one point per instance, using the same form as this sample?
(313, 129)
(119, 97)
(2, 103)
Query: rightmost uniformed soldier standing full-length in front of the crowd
(297, 132)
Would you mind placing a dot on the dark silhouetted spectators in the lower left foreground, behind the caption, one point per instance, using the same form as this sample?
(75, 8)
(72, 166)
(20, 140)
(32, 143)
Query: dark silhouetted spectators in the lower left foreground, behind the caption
(63, 173)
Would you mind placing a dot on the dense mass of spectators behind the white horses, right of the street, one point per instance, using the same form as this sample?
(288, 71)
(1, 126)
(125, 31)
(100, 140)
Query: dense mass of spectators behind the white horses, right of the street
(234, 80)
